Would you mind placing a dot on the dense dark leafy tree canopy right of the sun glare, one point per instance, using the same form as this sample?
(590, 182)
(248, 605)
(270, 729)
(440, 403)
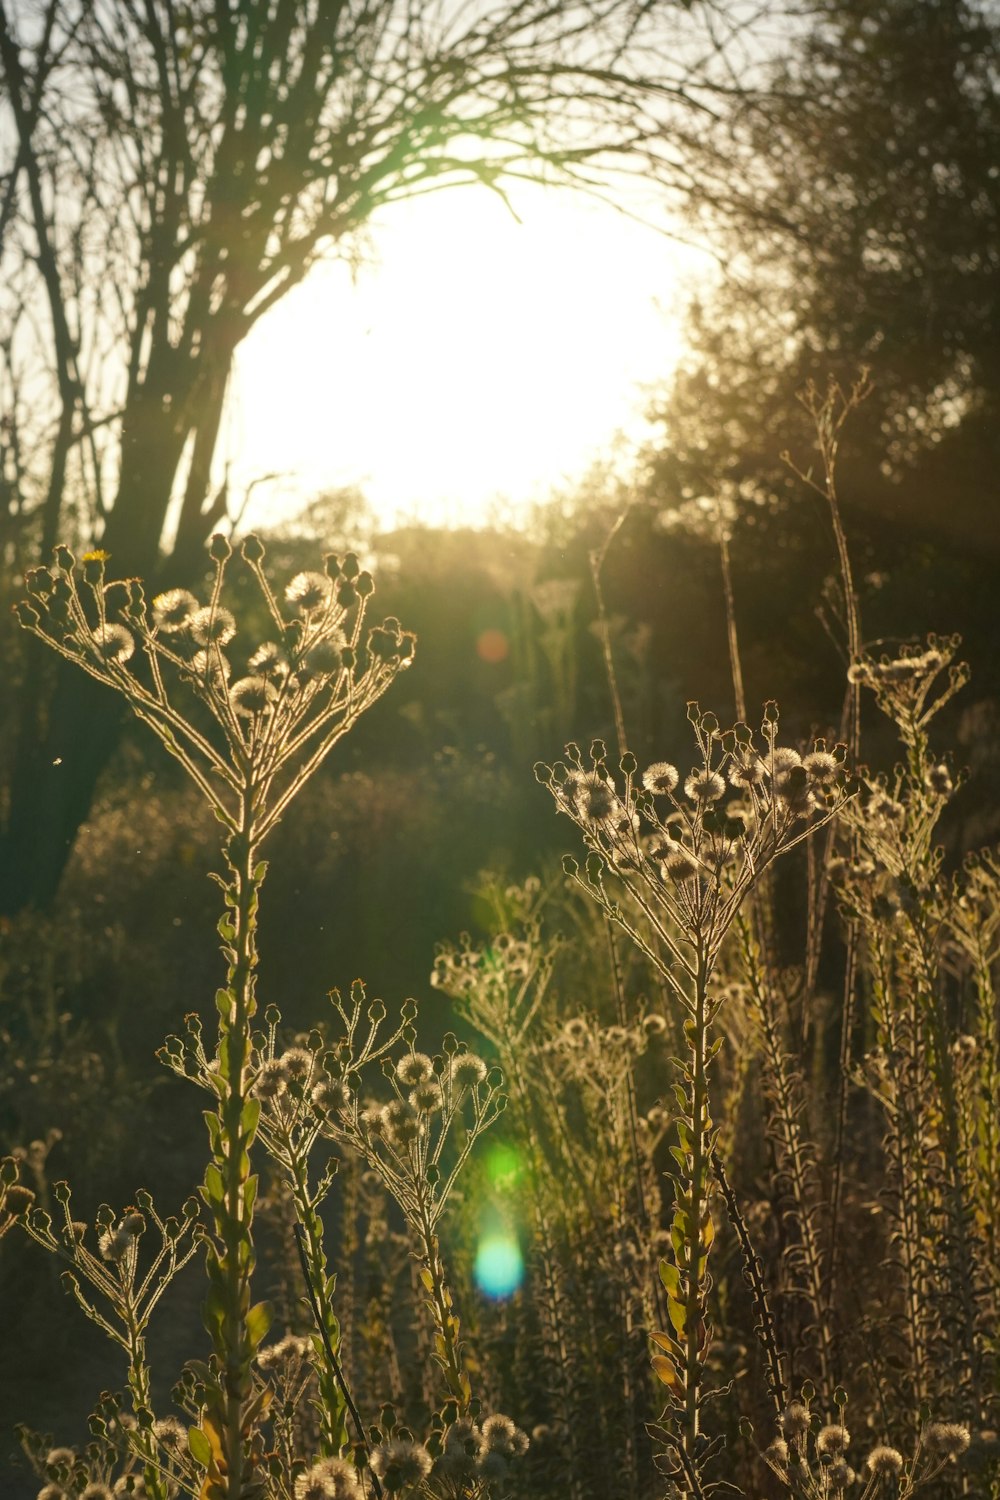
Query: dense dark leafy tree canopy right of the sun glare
(855, 206)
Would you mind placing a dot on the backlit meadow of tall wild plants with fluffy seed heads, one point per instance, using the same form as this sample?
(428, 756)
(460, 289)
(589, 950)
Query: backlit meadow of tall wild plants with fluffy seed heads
(684, 1183)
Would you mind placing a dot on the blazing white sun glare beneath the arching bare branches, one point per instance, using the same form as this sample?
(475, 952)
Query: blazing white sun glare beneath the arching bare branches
(478, 359)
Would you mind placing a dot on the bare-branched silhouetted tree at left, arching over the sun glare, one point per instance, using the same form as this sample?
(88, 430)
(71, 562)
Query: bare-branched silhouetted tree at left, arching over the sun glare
(169, 173)
